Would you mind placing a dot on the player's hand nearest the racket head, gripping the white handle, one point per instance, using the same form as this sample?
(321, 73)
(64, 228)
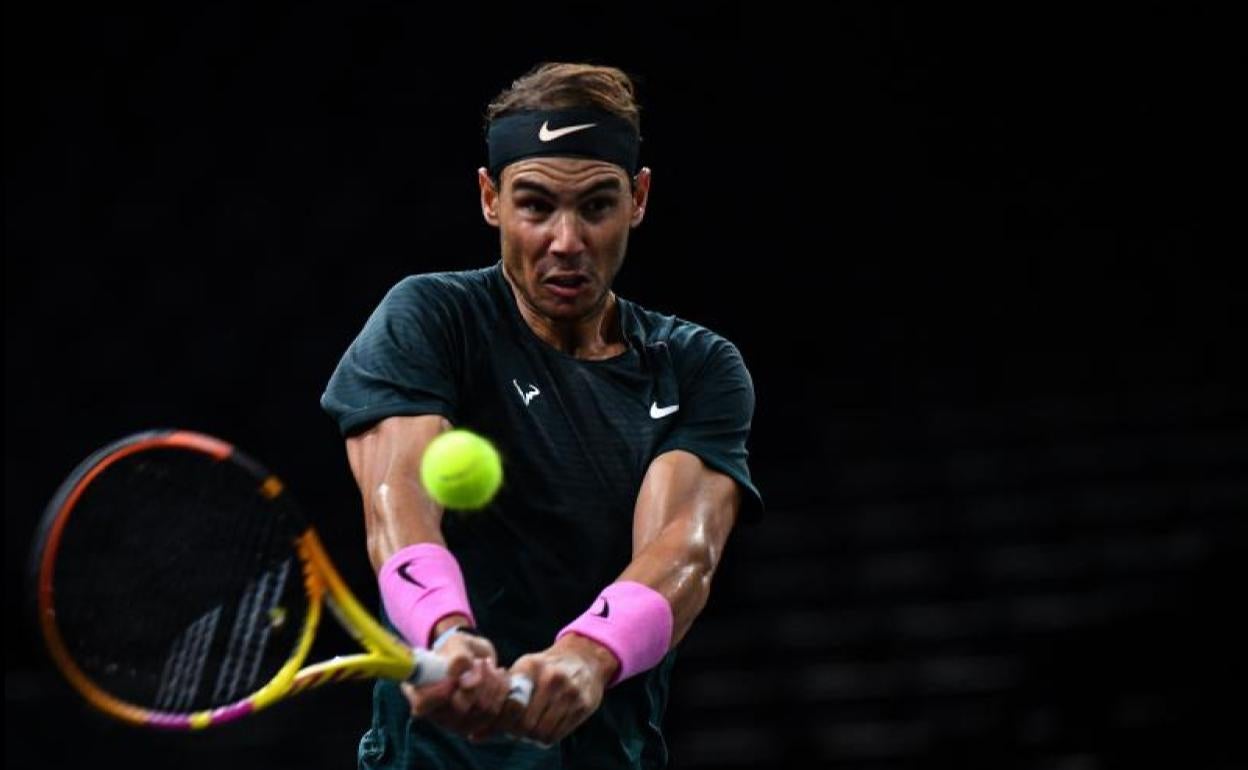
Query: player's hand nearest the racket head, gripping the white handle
(470, 701)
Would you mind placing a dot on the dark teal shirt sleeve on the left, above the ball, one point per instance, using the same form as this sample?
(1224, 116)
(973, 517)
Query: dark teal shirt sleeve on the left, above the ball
(405, 361)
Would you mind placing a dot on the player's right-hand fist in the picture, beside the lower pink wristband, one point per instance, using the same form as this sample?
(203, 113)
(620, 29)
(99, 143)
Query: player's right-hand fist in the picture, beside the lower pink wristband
(570, 680)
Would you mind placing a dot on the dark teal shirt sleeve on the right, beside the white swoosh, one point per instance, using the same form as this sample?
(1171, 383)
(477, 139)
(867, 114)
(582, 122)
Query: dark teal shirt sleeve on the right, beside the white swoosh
(717, 409)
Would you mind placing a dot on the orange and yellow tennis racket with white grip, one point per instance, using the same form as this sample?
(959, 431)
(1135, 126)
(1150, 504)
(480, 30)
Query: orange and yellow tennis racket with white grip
(179, 587)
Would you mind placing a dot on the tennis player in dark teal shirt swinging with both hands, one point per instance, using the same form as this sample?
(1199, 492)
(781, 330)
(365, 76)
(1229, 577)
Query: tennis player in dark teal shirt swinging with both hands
(623, 435)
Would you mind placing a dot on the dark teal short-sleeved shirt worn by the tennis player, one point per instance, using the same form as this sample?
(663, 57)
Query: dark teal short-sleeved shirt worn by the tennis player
(577, 439)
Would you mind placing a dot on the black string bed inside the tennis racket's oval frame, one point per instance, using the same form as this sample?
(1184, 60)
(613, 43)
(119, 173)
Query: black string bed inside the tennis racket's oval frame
(177, 586)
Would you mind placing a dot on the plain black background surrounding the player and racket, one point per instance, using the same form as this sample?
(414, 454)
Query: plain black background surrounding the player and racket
(980, 265)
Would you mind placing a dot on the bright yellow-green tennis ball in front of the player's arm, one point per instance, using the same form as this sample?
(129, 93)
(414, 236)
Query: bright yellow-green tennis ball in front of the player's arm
(461, 471)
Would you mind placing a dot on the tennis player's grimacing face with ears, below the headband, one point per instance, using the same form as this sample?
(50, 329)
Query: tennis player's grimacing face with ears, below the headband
(565, 227)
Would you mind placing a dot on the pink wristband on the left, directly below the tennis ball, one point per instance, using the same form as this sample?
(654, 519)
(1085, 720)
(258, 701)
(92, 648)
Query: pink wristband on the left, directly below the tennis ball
(422, 585)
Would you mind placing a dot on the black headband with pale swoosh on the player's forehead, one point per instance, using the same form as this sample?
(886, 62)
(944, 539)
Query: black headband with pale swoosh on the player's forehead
(580, 133)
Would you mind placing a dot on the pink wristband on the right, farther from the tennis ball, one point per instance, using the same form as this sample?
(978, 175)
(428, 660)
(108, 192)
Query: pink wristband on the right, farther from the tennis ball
(632, 621)
